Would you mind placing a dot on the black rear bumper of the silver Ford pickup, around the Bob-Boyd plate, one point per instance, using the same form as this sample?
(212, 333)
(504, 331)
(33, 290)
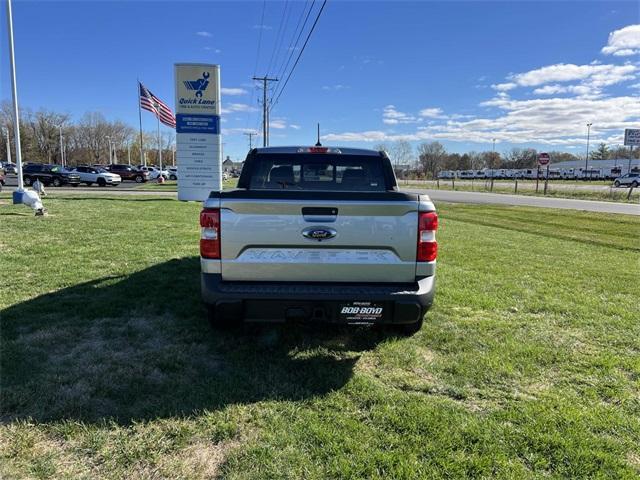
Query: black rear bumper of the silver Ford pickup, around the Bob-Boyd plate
(281, 301)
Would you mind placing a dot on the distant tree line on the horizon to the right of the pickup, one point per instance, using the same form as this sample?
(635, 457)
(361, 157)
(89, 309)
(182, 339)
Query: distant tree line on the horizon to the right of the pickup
(429, 158)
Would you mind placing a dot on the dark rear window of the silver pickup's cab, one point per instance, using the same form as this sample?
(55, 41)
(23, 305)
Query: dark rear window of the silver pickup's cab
(315, 172)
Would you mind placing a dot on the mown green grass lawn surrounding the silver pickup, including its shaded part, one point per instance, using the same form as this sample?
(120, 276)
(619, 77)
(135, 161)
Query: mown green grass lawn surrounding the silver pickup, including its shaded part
(527, 366)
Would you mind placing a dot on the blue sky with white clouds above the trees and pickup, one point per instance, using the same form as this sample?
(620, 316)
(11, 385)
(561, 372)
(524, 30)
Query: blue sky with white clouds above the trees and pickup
(463, 73)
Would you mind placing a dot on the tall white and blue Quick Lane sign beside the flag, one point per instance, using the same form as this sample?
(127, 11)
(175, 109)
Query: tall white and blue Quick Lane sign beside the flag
(198, 145)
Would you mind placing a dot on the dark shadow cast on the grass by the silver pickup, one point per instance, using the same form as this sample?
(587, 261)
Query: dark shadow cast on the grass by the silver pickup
(137, 347)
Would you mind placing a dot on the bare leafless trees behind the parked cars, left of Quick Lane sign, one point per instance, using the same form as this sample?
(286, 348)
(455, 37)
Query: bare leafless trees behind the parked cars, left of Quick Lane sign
(84, 141)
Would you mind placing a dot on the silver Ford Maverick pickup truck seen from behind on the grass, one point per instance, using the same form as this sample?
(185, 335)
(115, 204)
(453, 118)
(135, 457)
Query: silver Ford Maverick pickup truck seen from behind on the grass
(319, 234)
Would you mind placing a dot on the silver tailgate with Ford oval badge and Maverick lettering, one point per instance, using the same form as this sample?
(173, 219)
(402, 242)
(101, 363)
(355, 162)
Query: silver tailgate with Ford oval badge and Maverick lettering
(263, 239)
